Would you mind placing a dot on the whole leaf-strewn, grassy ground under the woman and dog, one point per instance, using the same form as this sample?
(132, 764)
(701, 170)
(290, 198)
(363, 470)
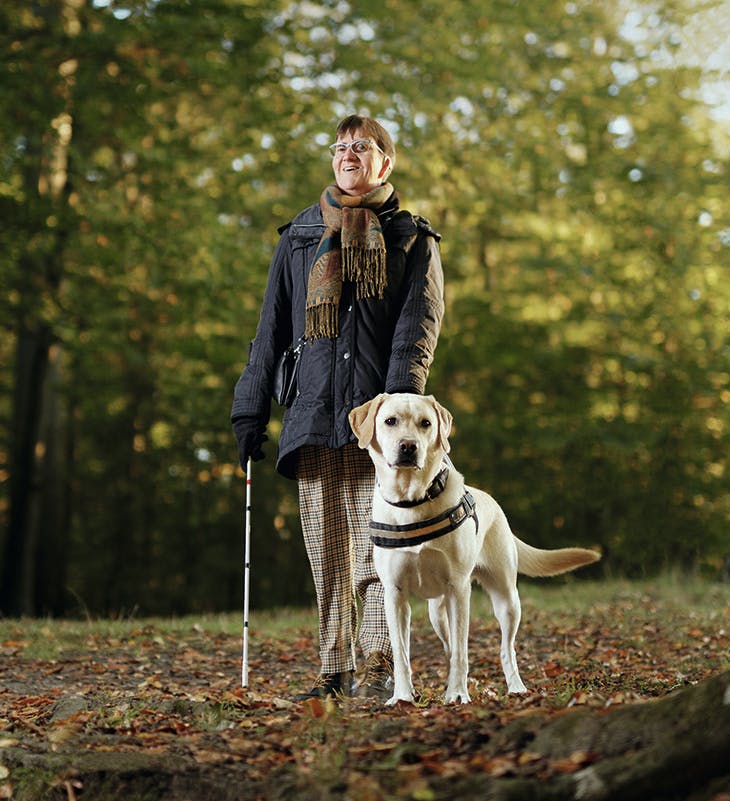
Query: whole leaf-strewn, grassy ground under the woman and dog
(154, 709)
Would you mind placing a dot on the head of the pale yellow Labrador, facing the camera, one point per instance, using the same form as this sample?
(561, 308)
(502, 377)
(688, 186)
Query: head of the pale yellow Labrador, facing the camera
(405, 431)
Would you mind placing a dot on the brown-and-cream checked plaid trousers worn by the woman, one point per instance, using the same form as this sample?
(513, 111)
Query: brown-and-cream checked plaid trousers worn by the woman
(335, 500)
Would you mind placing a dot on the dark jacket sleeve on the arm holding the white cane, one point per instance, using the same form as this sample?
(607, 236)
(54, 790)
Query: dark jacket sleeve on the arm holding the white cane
(252, 394)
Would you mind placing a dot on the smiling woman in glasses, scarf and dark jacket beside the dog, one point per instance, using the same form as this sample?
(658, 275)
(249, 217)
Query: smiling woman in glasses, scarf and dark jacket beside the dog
(362, 281)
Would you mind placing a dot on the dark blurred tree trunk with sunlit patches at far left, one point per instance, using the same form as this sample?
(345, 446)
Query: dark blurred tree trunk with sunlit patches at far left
(32, 563)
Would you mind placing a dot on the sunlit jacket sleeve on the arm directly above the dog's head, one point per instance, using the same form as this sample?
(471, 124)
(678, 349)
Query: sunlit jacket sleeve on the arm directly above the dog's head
(419, 323)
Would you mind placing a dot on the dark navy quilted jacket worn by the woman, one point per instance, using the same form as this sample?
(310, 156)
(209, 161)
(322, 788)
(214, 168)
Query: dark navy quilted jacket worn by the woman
(384, 345)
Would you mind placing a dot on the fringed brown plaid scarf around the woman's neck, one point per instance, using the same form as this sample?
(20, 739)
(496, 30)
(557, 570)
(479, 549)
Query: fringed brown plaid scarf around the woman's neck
(352, 248)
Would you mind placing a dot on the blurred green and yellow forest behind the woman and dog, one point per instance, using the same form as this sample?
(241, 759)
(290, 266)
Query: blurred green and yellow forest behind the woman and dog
(574, 158)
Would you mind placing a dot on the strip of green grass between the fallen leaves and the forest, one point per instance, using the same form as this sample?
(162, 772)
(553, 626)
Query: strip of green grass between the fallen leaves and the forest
(690, 596)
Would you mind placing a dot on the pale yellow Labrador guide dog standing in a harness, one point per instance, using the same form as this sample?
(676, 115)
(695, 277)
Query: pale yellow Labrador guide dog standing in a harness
(432, 535)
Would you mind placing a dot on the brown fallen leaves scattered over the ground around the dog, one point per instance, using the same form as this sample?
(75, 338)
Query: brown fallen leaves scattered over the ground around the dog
(174, 696)
